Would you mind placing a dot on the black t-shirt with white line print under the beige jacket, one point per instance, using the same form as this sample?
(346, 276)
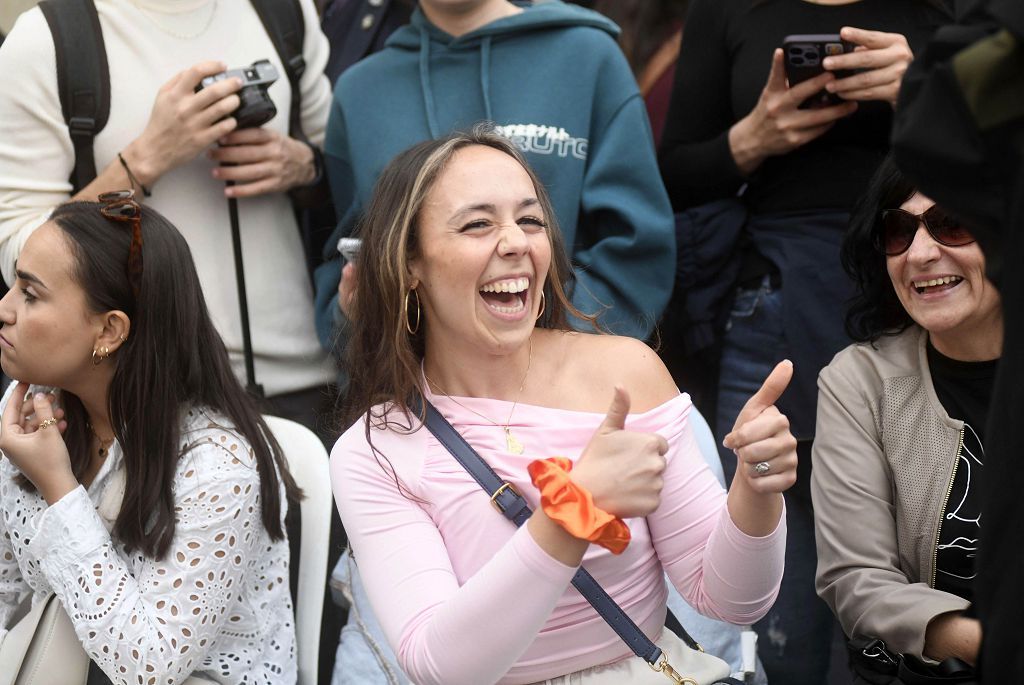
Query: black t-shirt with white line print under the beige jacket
(964, 390)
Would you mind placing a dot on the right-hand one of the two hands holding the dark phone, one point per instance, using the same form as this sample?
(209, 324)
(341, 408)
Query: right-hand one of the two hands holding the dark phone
(881, 60)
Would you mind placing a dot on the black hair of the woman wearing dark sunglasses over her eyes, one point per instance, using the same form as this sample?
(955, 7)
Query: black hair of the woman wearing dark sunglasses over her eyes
(875, 310)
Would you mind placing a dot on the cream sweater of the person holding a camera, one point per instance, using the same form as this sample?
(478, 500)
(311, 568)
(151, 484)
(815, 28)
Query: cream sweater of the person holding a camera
(145, 49)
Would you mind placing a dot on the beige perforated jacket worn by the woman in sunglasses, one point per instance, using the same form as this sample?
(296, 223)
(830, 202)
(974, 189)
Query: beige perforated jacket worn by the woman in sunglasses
(884, 457)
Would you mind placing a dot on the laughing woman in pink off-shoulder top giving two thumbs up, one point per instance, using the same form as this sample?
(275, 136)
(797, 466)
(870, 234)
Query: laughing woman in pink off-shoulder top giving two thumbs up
(461, 298)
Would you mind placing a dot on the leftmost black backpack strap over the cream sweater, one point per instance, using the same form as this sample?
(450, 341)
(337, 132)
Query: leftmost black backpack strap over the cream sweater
(83, 79)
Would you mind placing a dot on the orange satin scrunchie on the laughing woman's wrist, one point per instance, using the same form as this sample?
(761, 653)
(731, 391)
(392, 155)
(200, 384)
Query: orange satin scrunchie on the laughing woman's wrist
(573, 507)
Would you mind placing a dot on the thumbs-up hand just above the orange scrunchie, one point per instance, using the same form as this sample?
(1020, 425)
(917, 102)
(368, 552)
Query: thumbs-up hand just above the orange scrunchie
(623, 469)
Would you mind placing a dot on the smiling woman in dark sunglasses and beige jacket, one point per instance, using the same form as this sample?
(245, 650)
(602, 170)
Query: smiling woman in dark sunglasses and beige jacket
(900, 454)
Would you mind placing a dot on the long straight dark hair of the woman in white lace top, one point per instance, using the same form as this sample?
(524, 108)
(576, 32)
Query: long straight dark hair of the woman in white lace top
(173, 362)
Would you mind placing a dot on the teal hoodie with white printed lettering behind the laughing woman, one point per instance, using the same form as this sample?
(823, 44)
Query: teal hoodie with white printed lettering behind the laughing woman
(554, 81)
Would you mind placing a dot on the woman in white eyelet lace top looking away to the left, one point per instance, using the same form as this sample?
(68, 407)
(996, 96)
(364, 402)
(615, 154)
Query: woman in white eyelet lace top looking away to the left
(146, 492)
